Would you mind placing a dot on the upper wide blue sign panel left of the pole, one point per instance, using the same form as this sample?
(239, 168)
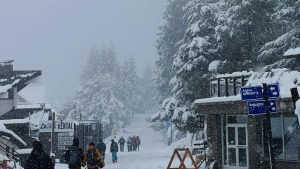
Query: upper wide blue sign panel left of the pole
(251, 93)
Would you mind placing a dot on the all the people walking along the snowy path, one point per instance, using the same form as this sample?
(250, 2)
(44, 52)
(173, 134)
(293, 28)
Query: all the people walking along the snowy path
(75, 156)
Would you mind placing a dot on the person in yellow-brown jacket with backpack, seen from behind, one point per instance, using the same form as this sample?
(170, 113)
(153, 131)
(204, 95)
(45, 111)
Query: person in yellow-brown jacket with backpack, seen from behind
(93, 158)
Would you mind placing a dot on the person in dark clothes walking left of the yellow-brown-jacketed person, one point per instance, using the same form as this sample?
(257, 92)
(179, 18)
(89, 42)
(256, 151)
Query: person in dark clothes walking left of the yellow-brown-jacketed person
(74, 155)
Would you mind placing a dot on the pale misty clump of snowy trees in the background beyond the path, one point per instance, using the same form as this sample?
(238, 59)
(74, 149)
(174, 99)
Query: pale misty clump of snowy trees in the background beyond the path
(109, 92)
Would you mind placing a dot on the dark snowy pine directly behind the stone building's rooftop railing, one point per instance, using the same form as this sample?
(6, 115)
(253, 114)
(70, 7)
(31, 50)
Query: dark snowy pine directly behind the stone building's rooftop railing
(243, 27)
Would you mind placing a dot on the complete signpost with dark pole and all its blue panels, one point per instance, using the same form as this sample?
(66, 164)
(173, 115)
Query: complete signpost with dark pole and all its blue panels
(259, 103)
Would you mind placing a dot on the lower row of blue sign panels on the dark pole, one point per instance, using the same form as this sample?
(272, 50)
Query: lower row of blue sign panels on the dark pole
(258, 107)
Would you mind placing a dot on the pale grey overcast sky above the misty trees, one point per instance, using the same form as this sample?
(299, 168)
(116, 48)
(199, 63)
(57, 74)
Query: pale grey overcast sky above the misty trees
(56, 36)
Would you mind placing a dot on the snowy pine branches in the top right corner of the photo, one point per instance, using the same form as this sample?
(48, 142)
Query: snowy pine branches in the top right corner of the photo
(286, 15)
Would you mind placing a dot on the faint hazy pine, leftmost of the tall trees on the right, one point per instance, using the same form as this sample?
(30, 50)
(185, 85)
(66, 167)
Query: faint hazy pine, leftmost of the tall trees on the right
(171, 33)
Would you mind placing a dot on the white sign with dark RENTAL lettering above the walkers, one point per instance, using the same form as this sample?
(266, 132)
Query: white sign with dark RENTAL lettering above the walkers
(60, 126)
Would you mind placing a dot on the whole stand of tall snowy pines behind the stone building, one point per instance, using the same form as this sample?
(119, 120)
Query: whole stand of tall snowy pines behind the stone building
(233, 35)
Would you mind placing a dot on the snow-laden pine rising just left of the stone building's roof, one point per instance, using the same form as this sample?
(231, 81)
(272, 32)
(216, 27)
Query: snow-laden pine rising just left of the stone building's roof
(191, 81)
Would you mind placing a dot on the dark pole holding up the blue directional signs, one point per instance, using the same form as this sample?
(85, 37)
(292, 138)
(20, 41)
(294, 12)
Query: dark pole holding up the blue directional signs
(268, 127)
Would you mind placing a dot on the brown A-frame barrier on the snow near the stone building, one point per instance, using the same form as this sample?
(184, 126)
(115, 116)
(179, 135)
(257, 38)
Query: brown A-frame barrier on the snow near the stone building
(182, 160)
